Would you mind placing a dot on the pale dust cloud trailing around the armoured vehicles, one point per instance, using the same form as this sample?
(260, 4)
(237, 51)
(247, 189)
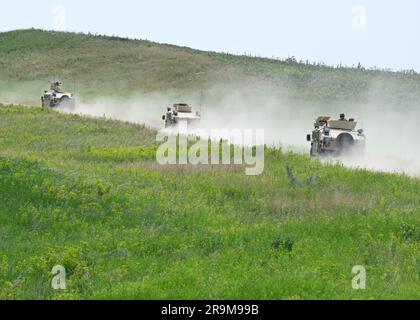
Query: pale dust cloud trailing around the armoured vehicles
(391, 130)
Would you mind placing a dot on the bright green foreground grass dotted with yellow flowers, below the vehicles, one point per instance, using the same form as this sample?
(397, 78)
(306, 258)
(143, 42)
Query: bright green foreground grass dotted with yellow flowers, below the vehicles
(86, 193)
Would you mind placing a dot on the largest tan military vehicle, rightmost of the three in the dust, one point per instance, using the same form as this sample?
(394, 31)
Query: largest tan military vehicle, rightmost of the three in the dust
(335, 137)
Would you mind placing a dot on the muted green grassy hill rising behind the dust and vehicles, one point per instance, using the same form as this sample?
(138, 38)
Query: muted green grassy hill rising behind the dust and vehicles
(100, 65)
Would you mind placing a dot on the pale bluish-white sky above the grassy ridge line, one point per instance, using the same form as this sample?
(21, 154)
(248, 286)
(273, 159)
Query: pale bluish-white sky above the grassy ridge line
(383, 33)
